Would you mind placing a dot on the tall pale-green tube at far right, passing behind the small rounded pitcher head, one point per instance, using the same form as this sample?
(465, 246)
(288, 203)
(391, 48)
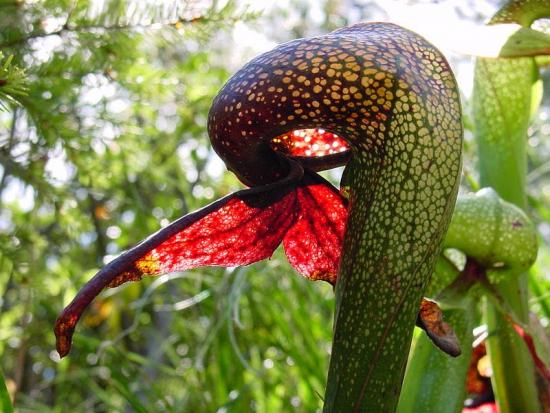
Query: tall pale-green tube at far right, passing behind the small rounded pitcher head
(501, 137)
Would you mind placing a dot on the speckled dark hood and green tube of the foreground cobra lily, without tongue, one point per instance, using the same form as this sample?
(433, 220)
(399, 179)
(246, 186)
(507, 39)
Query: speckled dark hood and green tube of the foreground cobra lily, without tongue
(392, 96)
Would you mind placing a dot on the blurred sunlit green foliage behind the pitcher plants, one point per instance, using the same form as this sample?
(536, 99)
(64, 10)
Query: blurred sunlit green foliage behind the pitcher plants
(102, 140)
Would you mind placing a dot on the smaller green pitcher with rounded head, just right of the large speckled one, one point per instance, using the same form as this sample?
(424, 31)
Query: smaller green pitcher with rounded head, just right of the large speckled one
(500, 237)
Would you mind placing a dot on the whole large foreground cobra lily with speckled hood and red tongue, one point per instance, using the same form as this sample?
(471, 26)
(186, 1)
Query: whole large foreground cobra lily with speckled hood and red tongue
(376, 98)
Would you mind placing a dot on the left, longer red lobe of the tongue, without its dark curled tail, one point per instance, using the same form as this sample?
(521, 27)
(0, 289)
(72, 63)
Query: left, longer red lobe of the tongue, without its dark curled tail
(246, 229)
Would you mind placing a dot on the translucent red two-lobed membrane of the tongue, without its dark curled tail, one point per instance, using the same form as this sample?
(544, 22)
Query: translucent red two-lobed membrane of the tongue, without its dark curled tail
(311, 217)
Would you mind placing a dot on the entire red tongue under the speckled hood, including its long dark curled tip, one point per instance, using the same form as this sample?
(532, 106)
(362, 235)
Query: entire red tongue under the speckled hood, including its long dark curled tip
(303, 209)
